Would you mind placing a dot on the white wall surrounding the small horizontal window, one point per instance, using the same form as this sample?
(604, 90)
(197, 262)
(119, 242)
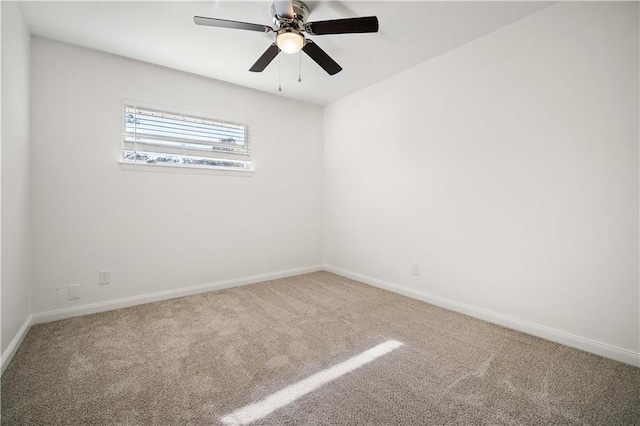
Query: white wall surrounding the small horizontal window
(158, 231)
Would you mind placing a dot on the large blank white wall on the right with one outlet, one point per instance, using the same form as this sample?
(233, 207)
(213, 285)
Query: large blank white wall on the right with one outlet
(508, 168)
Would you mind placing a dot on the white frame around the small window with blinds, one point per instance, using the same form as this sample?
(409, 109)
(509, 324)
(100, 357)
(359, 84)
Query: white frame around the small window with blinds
(130, 144)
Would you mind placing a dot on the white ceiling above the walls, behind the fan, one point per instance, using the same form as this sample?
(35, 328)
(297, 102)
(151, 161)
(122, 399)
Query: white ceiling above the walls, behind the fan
(163, 33)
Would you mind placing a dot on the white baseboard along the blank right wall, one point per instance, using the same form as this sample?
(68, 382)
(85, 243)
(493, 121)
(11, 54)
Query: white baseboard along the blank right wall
(588, 345)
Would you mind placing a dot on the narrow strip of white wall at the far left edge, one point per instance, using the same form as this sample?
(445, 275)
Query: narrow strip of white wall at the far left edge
(15, 173)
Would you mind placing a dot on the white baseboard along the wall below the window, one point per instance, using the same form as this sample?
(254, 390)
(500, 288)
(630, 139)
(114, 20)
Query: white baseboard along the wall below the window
(109, 305)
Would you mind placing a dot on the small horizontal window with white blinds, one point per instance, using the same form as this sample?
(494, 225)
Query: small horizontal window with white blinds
(152, 136)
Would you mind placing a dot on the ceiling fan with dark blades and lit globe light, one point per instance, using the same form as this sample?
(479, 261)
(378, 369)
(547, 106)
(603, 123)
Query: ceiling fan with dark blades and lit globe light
(290, 20)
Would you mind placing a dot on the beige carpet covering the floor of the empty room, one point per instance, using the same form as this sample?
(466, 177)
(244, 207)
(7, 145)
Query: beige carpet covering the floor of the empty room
(198, 359)
